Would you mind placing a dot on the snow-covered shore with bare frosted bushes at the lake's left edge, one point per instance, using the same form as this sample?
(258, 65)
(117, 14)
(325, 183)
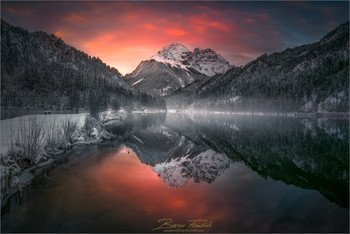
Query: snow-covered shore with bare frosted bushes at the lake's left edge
(34, 141)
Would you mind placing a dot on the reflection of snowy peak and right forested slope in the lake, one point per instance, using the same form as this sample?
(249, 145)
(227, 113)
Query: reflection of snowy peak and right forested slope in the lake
(308, 153)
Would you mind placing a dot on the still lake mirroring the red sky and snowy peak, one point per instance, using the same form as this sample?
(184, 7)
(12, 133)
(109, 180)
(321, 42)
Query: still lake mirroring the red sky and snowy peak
(199, 173)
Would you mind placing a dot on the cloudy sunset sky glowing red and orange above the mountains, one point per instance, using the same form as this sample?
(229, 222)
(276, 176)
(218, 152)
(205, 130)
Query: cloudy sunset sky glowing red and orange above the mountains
(122, 34)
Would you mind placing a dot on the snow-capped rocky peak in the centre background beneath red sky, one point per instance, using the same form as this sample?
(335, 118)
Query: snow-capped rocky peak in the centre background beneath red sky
(173, 67)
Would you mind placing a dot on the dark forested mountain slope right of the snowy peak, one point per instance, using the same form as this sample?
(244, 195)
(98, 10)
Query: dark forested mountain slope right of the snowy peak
(308, 78)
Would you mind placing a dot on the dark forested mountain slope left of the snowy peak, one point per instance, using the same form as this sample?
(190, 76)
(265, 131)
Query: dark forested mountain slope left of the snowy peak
(40, 71)
